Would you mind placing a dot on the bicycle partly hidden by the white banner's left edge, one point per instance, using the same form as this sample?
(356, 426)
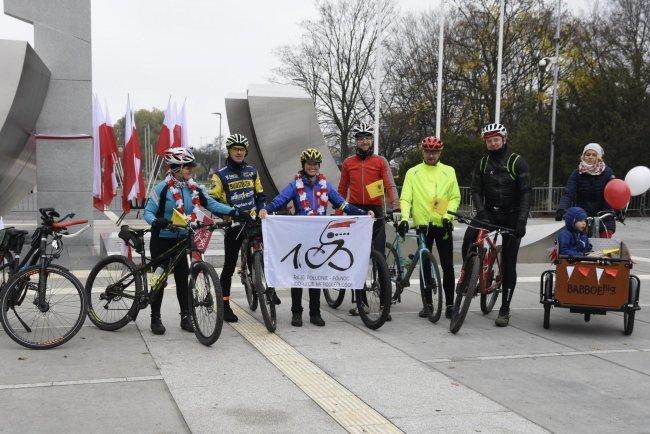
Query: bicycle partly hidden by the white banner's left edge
(252, 274)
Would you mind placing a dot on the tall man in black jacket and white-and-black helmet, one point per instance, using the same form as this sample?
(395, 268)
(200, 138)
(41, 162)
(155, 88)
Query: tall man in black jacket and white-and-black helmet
(502, 195)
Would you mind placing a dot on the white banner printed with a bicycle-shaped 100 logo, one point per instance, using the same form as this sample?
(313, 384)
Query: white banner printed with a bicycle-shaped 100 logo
(317, 251)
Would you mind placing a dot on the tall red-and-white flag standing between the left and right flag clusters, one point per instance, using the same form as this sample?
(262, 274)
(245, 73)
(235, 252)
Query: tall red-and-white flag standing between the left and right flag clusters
(133, 184)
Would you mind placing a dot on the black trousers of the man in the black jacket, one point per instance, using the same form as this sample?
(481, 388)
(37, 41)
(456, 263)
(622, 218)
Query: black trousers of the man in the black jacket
(510, 250)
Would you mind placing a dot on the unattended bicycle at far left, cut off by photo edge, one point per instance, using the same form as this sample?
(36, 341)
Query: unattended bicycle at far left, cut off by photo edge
(49, 311)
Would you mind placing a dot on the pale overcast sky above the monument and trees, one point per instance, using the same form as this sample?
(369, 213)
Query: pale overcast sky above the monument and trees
(199, 49)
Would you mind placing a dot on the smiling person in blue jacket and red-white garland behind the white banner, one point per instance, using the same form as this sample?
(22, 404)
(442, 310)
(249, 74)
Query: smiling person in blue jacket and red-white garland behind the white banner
(310, 192)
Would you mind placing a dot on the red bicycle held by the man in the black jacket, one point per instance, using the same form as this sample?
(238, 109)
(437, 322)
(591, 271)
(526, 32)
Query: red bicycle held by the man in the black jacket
(478, 272)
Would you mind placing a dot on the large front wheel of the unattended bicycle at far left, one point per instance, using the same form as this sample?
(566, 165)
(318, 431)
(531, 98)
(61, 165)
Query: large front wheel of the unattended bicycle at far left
(15, 295)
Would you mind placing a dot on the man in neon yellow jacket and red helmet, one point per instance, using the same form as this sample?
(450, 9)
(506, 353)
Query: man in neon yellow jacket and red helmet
(427, 188)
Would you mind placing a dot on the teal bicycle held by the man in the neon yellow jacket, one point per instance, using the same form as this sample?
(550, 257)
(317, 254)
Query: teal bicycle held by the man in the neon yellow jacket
(401, 269)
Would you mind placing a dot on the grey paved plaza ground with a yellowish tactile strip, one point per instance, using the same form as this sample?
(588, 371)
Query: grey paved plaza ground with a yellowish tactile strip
(410, 375)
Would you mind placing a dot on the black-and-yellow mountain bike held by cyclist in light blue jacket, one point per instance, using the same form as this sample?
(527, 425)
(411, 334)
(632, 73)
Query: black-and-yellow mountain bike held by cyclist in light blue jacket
(118, 289)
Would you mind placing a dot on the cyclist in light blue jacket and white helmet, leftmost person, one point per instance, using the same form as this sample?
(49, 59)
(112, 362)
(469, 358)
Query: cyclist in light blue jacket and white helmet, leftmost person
(177, 191)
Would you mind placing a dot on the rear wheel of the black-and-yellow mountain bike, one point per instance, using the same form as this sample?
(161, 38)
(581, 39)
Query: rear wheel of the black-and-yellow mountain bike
(113, 290)
